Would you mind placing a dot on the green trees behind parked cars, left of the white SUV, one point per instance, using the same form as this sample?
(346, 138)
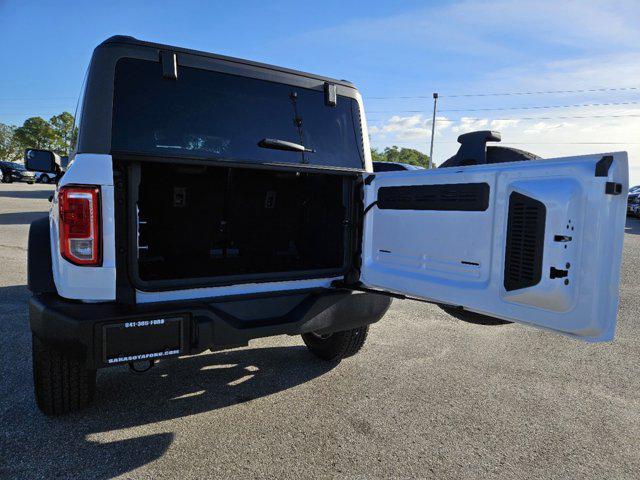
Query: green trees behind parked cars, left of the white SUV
(55, 134)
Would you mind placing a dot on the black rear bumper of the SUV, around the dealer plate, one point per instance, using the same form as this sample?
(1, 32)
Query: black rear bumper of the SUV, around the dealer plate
(78, 328)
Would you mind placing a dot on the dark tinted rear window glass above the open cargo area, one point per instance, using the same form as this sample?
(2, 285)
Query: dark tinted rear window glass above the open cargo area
(216, 115)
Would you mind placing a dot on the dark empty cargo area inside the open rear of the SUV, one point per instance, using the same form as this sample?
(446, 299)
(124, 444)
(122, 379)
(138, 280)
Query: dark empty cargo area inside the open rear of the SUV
(216, 224)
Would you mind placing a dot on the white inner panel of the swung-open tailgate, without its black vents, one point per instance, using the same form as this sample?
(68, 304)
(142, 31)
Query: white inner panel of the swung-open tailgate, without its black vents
(421, 252)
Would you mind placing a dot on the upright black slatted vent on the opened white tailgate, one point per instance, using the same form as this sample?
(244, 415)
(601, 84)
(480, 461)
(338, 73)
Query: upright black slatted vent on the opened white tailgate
(525, 242)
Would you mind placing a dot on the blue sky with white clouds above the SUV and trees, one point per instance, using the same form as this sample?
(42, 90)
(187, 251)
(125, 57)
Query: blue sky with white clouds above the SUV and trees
(389, 49)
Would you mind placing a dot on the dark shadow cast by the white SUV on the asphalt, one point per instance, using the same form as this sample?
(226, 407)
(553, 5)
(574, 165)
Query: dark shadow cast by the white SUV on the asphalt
(80, 445)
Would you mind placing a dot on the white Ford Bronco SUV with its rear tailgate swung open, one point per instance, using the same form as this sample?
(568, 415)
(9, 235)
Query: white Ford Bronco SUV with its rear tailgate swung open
(211, 200)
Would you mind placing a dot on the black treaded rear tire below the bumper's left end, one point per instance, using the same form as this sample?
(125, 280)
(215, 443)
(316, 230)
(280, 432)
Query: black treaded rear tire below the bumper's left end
(61, 384)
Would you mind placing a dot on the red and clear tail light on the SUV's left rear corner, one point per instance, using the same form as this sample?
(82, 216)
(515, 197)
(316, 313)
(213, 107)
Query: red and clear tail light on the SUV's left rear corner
(80, 225)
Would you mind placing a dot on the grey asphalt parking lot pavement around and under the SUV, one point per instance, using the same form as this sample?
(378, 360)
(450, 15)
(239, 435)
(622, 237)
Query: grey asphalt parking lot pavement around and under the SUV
(430, 396)
